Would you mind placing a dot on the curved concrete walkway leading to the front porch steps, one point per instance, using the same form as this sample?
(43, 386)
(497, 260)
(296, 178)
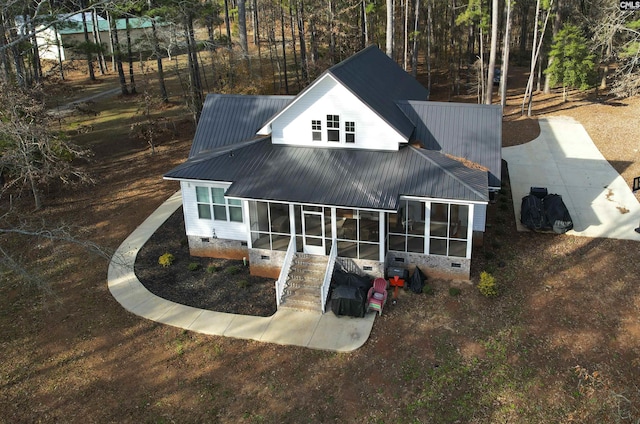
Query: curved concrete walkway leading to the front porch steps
(308, 329)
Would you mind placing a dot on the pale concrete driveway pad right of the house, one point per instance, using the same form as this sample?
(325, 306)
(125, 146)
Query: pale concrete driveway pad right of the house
(565, 160)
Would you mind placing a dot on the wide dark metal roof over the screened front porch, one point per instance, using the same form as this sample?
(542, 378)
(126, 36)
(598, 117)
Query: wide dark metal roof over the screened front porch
(339, 177)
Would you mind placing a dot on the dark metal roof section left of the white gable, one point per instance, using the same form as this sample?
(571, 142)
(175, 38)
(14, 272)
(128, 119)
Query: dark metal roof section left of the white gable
(227, 119)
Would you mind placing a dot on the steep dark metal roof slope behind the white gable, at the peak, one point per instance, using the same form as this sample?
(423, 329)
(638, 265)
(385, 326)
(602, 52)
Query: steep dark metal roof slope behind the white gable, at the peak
(379, 82)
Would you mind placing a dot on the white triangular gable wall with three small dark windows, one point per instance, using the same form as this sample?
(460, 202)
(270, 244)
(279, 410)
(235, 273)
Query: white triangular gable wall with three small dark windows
(329, 115)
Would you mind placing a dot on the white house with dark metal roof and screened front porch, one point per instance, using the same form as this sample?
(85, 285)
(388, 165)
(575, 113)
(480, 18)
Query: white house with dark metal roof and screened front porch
(359, 169)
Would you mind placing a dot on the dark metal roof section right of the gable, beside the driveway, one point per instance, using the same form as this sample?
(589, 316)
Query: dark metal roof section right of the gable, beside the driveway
(468, 131)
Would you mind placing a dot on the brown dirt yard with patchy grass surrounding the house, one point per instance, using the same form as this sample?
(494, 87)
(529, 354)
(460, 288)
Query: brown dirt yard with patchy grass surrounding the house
(561, 343)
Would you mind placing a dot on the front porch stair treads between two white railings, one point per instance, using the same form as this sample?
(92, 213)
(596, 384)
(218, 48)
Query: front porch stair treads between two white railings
(302, 289)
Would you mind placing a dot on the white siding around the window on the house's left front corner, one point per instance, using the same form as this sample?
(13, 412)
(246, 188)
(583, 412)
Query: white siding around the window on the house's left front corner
(195, 226)
